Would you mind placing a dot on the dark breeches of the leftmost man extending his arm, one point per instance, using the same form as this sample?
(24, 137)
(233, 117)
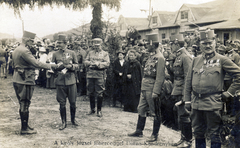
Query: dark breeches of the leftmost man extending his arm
(24, 94)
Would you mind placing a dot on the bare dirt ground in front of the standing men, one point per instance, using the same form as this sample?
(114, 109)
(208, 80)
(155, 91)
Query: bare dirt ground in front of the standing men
(109, 131)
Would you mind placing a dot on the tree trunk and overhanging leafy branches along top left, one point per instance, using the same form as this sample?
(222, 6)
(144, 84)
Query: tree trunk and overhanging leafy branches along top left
(96, 23)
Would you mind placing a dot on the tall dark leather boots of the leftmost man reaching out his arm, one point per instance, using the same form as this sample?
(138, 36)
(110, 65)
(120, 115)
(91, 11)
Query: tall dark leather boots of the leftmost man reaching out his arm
(25, 129)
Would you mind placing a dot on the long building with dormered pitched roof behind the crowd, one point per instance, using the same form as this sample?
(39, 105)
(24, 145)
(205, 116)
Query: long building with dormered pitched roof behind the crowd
(220, 15)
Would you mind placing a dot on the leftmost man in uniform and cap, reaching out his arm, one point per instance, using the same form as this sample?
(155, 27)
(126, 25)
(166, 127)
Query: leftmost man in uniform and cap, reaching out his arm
(23, 78)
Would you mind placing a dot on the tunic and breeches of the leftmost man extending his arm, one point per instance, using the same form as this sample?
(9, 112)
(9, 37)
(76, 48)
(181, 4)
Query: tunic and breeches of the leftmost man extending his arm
(24, 74)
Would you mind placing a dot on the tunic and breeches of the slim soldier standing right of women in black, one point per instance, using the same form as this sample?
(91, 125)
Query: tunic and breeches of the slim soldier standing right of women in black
(154, 76)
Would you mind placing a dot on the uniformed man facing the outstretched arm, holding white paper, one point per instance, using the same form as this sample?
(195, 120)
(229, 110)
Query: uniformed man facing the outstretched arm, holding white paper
(66, 79)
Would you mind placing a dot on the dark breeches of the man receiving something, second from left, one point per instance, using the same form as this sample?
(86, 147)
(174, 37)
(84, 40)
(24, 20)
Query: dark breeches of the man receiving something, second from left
(68, 91)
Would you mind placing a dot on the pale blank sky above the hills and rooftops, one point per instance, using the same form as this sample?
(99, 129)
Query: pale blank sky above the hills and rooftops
(52, 20)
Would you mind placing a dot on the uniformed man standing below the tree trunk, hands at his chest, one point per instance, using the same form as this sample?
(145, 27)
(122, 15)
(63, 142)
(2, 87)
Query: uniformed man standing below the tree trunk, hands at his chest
(96, 61)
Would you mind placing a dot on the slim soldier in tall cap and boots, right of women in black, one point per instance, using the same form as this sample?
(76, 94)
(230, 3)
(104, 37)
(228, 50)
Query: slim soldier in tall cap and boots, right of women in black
(154, 76)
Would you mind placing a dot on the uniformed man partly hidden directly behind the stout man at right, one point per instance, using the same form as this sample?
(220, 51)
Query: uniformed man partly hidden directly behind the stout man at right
(180, 69)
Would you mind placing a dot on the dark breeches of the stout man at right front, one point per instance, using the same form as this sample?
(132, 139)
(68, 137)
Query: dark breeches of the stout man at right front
(206, 122)
